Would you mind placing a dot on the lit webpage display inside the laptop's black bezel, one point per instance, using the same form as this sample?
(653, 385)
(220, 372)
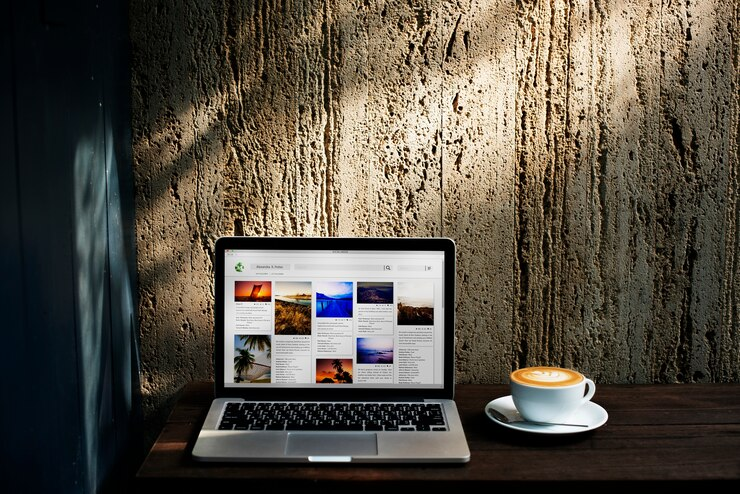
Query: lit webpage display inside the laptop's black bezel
(323, 318)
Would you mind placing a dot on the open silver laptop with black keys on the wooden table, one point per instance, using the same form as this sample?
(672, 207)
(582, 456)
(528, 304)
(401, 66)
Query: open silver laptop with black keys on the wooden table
(334, 350)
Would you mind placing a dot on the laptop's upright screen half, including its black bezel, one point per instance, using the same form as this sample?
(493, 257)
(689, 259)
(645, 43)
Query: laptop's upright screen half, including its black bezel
(334, 316)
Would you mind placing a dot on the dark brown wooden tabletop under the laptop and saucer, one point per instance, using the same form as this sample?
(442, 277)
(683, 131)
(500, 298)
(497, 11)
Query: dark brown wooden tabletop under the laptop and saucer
(665, 432)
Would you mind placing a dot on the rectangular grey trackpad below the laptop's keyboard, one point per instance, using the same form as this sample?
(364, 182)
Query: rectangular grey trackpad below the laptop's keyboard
(323, 444)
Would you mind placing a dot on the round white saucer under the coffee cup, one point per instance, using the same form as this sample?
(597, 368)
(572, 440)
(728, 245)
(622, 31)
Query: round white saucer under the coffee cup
(590, 414)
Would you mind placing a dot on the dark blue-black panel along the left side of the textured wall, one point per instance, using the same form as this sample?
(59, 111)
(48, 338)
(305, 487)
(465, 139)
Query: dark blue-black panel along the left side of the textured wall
(70, 362)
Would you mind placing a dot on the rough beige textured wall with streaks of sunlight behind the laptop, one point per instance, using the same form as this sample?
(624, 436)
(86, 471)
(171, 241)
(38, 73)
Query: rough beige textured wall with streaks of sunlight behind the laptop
(582, 154)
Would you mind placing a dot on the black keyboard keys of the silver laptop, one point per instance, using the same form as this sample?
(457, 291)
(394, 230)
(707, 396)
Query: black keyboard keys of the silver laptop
(321, 416)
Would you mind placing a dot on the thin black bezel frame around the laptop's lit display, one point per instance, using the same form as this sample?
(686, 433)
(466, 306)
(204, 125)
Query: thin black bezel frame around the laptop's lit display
(437, 244)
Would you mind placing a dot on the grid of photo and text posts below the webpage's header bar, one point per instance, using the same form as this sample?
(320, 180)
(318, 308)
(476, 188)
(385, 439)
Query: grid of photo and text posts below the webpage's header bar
(329, 332)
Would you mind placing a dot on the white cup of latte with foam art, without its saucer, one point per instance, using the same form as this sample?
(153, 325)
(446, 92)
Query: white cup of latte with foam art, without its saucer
(549, 394)
